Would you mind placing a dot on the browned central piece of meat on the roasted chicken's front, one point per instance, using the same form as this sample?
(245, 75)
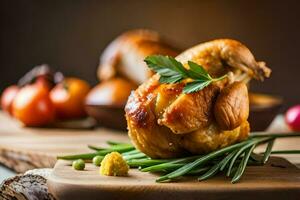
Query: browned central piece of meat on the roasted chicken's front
(188, 112)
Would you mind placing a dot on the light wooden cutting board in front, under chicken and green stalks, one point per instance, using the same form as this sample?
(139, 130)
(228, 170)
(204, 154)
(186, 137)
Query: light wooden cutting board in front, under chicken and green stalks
(278, 179)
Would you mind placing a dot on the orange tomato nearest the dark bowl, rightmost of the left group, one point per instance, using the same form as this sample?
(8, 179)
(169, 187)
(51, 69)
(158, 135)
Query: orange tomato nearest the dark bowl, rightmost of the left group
(68, 98)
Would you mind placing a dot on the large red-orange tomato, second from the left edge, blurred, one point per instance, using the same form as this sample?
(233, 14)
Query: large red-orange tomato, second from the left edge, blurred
(32, 106)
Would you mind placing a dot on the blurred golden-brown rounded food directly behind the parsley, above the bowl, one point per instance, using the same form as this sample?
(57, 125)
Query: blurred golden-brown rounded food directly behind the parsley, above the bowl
(125, 55)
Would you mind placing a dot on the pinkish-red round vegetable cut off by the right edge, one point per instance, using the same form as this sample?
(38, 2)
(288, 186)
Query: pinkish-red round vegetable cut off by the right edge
(292, 118)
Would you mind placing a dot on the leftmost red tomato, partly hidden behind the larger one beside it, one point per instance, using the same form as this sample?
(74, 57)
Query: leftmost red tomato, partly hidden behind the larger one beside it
(8, 97)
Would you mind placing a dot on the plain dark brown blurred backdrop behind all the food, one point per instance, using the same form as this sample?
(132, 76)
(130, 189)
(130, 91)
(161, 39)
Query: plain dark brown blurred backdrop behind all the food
(70, 35)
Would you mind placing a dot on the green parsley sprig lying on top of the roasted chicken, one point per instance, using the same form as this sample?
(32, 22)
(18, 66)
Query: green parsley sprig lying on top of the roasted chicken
(172, 71)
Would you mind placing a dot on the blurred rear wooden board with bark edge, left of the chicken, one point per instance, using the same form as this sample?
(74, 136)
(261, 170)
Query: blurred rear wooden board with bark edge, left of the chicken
(23, 148)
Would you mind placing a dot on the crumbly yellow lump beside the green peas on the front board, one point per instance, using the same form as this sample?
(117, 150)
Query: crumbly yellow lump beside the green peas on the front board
(113, 164)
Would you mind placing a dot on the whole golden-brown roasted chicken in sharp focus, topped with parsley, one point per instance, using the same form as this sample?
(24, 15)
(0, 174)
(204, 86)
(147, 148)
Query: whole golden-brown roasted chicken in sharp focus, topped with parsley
(164, 122)
